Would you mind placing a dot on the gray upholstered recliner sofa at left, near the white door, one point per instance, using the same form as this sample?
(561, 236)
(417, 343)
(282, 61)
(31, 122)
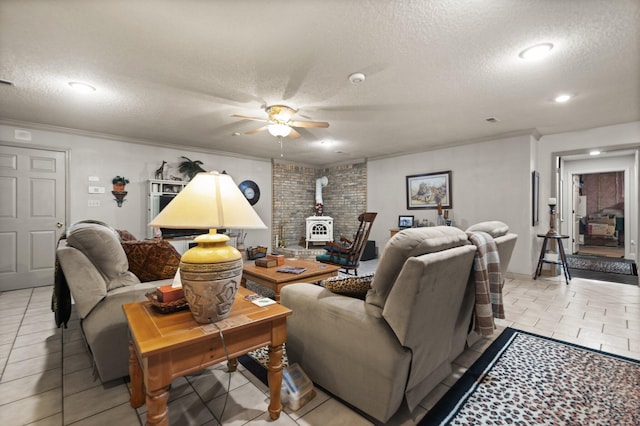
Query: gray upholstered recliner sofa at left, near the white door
(96, 270)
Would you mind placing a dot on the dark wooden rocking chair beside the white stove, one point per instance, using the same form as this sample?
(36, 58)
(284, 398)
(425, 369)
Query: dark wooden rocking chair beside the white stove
(347, 253)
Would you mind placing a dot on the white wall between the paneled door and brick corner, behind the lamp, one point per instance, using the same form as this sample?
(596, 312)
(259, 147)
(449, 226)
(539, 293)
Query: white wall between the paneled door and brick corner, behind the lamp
(106, 158)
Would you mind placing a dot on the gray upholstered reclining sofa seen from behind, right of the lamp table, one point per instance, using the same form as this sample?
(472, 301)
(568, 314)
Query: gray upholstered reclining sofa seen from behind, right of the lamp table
(398, 343)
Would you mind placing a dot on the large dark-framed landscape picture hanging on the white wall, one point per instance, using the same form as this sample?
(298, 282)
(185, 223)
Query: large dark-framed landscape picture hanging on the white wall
(427, 190)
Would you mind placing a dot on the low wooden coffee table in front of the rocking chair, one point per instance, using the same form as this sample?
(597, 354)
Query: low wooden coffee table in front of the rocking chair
(270, 277)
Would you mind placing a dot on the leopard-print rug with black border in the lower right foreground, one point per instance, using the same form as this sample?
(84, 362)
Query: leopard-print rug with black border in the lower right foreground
(535, 380)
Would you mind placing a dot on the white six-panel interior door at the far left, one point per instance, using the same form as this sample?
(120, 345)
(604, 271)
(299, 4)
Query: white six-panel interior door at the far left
(32, 215)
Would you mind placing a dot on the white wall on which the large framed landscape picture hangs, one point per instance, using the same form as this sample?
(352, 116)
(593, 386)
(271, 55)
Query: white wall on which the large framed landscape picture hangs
(490, 181)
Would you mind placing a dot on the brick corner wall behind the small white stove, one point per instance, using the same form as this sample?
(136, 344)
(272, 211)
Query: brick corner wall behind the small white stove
(294, 194)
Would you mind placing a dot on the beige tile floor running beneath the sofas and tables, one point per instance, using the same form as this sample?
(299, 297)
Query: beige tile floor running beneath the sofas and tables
(47, 377)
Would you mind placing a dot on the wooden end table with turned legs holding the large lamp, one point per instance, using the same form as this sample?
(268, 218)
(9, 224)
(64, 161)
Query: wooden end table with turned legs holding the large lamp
(166, 346)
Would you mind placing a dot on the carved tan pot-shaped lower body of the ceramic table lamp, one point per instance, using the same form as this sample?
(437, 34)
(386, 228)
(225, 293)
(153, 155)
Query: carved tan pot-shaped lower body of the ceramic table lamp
(210, 288)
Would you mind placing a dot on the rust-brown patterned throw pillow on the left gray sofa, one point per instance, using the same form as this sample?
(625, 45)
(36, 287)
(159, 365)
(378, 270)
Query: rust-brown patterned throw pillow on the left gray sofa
(152, 260)
